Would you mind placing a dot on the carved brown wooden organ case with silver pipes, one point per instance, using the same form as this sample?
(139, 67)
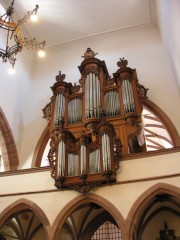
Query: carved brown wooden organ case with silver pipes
(93, 123)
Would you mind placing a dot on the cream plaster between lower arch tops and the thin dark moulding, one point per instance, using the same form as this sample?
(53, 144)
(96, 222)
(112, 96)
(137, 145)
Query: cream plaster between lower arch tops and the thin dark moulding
(122, 197)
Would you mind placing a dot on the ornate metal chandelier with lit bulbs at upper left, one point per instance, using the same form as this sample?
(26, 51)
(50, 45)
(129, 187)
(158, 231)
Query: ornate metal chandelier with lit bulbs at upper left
(14, 40)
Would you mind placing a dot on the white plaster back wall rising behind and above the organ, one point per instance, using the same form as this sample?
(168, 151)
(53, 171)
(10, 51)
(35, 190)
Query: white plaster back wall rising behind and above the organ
(142, 48)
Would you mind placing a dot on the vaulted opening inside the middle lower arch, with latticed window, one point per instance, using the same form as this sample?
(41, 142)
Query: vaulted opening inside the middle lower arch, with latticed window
(90, 222)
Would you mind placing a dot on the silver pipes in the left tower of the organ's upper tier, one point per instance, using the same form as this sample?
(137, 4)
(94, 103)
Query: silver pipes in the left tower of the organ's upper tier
(59, 108)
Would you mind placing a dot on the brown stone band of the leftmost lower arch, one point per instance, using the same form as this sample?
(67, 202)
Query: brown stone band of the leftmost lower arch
(25, 204)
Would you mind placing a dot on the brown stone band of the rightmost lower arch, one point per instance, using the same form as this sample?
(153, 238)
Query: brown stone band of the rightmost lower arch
(141, 203)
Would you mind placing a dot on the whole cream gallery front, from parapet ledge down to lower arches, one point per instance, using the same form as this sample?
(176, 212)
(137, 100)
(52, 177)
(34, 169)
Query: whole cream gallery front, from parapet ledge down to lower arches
(133, 181)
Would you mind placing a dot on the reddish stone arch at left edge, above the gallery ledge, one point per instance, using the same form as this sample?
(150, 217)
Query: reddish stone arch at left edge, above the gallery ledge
(7, 144)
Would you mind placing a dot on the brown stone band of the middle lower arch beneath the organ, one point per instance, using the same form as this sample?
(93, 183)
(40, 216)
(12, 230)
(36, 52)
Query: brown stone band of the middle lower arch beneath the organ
(84, 199)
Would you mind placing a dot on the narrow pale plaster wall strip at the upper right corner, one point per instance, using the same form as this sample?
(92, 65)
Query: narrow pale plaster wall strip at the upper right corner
(168, 18)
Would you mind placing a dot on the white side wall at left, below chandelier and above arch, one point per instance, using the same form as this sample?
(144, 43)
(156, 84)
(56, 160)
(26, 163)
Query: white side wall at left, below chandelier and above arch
(14, 93)
